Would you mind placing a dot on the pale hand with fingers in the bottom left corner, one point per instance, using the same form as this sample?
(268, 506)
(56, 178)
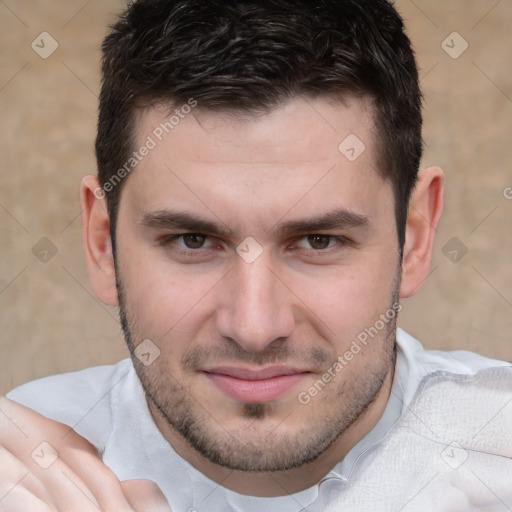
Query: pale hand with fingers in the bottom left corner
(45, 466)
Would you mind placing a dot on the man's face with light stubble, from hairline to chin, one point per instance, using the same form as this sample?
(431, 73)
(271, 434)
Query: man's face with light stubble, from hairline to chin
(252, 252)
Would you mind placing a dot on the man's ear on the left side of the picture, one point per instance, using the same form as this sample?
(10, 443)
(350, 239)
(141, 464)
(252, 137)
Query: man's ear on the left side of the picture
(97, 242)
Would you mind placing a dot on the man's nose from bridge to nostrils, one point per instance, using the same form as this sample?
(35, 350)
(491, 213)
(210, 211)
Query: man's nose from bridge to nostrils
(257, 308)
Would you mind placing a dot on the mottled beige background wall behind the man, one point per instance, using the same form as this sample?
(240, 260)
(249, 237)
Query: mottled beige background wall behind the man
(50, 321)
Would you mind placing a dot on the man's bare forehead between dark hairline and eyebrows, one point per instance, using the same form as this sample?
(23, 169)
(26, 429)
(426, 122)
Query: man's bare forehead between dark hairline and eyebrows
(305, 154)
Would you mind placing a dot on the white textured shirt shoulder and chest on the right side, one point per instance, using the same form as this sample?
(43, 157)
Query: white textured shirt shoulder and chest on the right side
(452, 442)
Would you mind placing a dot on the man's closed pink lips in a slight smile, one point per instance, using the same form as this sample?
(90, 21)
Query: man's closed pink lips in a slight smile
(252, 386)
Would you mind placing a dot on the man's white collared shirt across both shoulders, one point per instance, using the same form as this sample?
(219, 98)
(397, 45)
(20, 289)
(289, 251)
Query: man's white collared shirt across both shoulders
(107, 406)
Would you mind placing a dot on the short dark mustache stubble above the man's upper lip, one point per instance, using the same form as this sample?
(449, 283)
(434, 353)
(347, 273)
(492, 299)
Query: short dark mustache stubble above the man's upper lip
(277, 352)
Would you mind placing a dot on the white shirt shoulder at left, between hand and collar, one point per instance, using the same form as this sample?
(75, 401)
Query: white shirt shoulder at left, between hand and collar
(80, 399)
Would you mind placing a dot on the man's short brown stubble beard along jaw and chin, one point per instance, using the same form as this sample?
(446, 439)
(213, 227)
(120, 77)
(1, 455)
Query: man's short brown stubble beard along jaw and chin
(258, 448)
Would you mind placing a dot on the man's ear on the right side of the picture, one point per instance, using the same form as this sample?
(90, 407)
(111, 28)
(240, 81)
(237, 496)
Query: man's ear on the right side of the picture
(425, 210)
